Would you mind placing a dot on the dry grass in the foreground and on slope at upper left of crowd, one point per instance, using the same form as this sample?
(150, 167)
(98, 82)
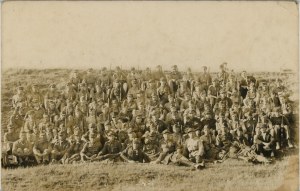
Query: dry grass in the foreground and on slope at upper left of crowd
(230, 175)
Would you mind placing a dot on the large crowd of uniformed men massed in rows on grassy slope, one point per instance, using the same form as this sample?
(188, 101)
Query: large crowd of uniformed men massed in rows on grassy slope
(157, 117)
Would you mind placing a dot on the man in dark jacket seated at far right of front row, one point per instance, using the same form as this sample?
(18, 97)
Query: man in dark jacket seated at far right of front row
(264, 142)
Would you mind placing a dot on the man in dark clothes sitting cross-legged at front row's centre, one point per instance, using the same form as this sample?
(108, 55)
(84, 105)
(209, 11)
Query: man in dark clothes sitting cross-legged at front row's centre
(134, 153)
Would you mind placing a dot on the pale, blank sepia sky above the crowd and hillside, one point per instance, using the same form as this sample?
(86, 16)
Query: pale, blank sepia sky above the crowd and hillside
(247, 35)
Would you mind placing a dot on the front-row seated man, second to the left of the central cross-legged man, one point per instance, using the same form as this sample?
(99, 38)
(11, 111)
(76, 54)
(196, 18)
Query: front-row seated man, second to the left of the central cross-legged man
(91, 148)
